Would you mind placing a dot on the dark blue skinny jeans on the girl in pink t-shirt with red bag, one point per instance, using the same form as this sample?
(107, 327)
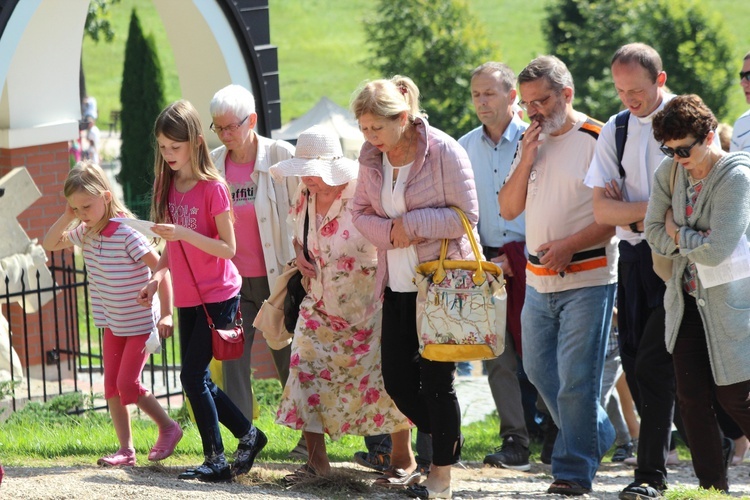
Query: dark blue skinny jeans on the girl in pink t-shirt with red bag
(209, 403)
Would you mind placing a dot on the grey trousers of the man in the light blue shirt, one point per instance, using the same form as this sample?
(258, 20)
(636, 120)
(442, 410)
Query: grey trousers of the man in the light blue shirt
(506, 391)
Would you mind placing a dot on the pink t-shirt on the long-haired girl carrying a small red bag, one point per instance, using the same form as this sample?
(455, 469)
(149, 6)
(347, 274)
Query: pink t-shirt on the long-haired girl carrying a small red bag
(217, 278)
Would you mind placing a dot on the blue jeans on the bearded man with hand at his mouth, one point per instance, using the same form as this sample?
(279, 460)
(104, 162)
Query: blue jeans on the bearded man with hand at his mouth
(564, 346)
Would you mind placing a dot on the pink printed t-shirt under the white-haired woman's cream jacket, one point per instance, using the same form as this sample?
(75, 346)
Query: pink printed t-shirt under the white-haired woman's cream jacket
(249, 257)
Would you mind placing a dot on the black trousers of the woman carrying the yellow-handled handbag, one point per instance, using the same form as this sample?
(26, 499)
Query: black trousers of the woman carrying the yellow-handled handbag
(422, 389)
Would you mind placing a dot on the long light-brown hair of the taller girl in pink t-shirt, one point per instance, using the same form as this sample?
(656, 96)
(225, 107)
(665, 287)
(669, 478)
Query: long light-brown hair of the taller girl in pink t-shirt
(180, 122)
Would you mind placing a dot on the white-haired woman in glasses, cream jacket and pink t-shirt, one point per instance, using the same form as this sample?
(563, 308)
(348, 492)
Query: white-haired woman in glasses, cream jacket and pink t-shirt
(261, 205)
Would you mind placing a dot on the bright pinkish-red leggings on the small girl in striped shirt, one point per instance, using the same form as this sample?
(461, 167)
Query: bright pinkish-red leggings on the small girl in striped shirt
(124, 359)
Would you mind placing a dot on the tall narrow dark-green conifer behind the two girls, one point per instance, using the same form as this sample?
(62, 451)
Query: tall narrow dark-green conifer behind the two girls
(142, 99)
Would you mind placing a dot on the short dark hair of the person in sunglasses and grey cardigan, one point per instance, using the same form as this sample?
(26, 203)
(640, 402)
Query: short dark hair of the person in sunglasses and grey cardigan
(683, 116)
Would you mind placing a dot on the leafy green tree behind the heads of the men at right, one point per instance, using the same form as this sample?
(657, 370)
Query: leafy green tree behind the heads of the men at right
(694, 44)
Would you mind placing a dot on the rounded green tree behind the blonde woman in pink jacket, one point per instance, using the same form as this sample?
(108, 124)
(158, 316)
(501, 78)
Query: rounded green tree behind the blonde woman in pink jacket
(436, 43)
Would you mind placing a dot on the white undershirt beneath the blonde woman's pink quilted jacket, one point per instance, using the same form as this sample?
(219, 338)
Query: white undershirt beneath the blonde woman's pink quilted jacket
(401, 261)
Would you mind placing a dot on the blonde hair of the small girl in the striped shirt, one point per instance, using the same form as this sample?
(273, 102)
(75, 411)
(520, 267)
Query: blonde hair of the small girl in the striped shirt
(89, 177)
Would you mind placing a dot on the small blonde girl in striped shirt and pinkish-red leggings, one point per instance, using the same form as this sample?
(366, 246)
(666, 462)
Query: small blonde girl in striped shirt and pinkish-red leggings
(119, 261)
